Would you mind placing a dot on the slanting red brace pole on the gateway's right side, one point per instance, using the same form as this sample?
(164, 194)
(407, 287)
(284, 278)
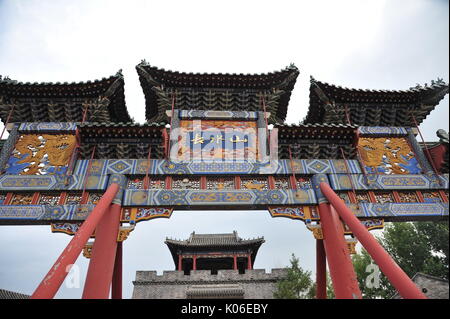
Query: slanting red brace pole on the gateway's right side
(404, 285)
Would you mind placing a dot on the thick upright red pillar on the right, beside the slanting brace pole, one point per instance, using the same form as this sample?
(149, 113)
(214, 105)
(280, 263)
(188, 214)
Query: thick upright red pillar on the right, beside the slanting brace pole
(343, 275)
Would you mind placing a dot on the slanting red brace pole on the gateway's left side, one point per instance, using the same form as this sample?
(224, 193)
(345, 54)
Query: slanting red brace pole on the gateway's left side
(52, 281)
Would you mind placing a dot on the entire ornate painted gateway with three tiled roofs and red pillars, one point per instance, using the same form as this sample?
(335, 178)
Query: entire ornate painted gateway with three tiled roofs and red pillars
(74, 159)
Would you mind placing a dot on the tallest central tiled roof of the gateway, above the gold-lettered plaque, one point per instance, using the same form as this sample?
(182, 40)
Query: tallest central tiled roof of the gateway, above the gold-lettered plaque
(215, 91)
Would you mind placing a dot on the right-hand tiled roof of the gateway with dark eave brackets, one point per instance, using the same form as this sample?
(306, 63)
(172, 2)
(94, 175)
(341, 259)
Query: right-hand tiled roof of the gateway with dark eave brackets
(335, 104)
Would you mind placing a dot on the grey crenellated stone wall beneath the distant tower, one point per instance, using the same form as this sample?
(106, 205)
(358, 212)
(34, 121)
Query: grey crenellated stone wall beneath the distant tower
(256, 283)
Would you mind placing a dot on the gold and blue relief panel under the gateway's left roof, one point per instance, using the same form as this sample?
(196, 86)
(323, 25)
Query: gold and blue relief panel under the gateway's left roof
(44, 154)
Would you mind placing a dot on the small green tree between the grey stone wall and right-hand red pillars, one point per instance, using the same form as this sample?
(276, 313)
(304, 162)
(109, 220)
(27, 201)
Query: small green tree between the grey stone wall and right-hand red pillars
(297, 284)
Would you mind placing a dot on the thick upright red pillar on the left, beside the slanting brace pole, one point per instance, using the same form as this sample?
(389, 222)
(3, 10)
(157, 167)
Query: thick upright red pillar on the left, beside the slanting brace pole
(101, 266)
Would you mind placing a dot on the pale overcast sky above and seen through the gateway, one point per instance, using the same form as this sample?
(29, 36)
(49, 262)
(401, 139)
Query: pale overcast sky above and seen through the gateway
(362, 44)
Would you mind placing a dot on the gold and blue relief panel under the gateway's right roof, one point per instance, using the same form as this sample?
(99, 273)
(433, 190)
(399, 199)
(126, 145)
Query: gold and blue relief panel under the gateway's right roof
(382, 155)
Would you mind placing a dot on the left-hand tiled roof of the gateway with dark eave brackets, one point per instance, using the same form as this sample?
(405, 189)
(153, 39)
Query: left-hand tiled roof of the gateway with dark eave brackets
(64, 102)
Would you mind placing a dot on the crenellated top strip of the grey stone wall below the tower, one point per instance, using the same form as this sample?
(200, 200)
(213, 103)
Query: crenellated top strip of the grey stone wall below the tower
(196, 276)
